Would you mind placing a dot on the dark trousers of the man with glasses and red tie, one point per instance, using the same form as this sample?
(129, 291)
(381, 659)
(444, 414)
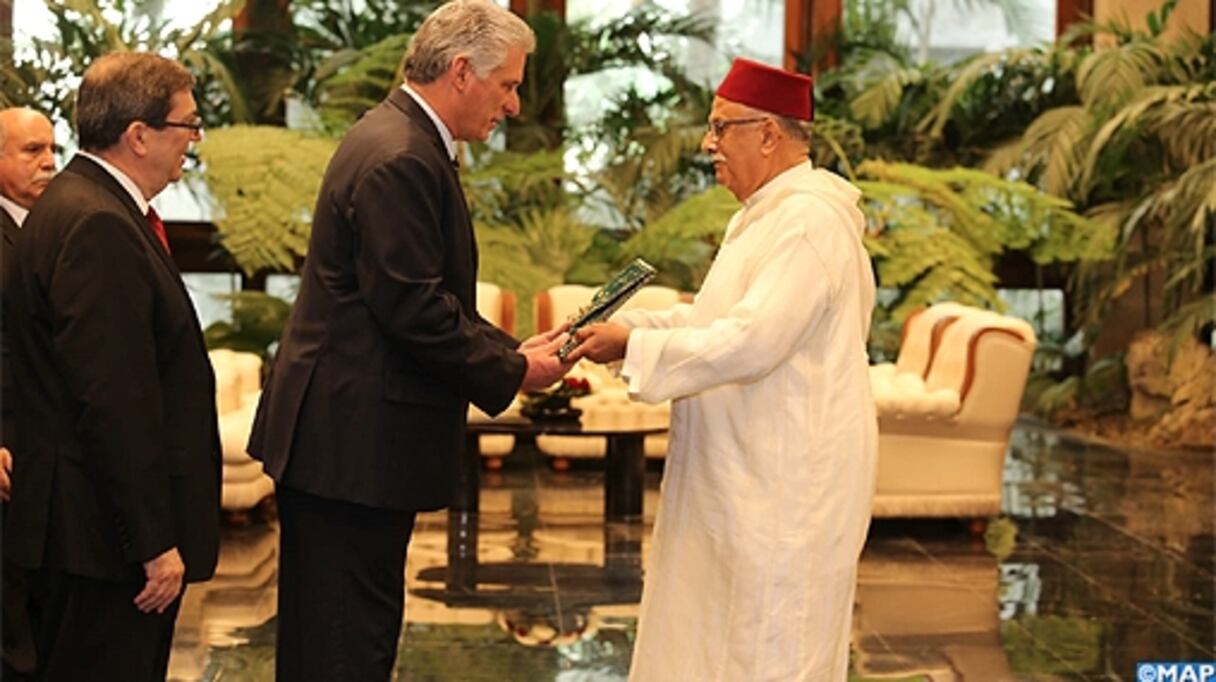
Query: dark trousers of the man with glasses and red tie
(89, 630)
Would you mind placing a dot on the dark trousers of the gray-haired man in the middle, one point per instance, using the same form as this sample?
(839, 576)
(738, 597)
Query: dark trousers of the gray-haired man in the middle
(341, 589)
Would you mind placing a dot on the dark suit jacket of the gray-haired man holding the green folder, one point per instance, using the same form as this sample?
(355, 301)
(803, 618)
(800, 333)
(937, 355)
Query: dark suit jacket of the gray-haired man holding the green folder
(385, 350)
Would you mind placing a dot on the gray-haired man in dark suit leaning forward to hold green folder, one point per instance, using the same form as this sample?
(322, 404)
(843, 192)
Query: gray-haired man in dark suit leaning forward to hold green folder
(363, 419)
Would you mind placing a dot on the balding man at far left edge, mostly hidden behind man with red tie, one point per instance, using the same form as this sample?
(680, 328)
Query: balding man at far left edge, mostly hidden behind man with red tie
(27, 165)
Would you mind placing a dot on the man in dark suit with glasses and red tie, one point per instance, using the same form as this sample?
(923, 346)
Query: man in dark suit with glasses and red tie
(116, 486)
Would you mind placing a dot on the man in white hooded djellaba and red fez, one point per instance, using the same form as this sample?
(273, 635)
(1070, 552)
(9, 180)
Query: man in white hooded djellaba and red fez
(769, 480)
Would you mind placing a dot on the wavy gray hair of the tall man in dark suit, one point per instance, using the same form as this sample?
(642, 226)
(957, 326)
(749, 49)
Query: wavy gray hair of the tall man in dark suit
(478, 30)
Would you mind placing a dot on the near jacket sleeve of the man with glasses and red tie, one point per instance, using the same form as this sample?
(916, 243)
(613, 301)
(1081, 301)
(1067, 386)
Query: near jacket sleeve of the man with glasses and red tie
(104, 294)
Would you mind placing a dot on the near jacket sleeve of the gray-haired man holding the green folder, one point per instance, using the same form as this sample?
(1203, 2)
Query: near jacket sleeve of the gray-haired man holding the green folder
(402, 251)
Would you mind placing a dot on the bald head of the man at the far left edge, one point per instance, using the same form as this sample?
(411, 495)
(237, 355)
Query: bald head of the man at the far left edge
(27, 155)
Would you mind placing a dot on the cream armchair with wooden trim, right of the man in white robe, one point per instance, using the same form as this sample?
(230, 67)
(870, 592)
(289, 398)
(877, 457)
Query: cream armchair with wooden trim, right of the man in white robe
(944, 435)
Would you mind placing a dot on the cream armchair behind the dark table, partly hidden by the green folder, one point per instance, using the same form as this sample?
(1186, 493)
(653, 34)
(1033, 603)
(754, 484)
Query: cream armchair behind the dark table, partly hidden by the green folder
(609, 405)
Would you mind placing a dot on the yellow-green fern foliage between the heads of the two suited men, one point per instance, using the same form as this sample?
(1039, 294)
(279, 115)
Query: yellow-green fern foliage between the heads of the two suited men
(266, 182)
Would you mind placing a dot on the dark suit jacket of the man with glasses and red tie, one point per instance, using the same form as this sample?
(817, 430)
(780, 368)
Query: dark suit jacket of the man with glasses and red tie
(117, 432)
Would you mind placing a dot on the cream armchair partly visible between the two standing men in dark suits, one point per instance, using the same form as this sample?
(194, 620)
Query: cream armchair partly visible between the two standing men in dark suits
(238, 390)
